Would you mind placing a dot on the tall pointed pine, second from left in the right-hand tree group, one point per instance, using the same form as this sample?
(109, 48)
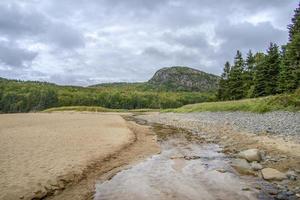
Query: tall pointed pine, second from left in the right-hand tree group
(235, 79)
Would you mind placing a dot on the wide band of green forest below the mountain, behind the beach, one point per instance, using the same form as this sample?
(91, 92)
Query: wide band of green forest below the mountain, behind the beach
(26, 96)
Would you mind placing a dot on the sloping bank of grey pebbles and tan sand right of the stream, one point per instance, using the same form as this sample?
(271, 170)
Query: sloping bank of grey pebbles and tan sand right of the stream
(236, 132)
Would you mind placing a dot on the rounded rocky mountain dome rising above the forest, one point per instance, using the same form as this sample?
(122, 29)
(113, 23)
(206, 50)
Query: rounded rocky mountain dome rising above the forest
(184, 79)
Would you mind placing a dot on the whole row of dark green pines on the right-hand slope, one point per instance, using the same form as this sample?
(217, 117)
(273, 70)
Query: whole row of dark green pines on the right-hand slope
(261, 74)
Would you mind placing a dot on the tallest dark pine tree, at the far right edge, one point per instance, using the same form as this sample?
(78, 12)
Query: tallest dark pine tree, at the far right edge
(290, 65)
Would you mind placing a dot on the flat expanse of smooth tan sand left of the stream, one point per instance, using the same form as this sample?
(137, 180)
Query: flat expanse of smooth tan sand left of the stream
(41, 153)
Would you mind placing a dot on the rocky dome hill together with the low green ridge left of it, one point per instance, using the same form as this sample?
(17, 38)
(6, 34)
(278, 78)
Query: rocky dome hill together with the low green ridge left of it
(173, 79)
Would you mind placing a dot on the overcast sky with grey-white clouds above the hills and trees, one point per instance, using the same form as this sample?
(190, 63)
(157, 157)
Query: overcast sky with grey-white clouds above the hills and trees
(86, 42)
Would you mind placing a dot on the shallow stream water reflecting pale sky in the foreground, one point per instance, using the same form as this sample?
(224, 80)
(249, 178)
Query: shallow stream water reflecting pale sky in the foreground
(185, 169)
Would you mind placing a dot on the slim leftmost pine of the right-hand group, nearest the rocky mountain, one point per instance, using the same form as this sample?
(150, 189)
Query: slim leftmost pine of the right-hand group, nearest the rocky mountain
(223, 91)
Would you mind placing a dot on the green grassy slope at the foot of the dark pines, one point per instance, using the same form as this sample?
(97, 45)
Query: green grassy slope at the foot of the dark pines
(284, 102)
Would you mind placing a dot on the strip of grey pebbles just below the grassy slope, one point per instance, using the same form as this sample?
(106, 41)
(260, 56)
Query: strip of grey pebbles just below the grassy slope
(279, 123)
